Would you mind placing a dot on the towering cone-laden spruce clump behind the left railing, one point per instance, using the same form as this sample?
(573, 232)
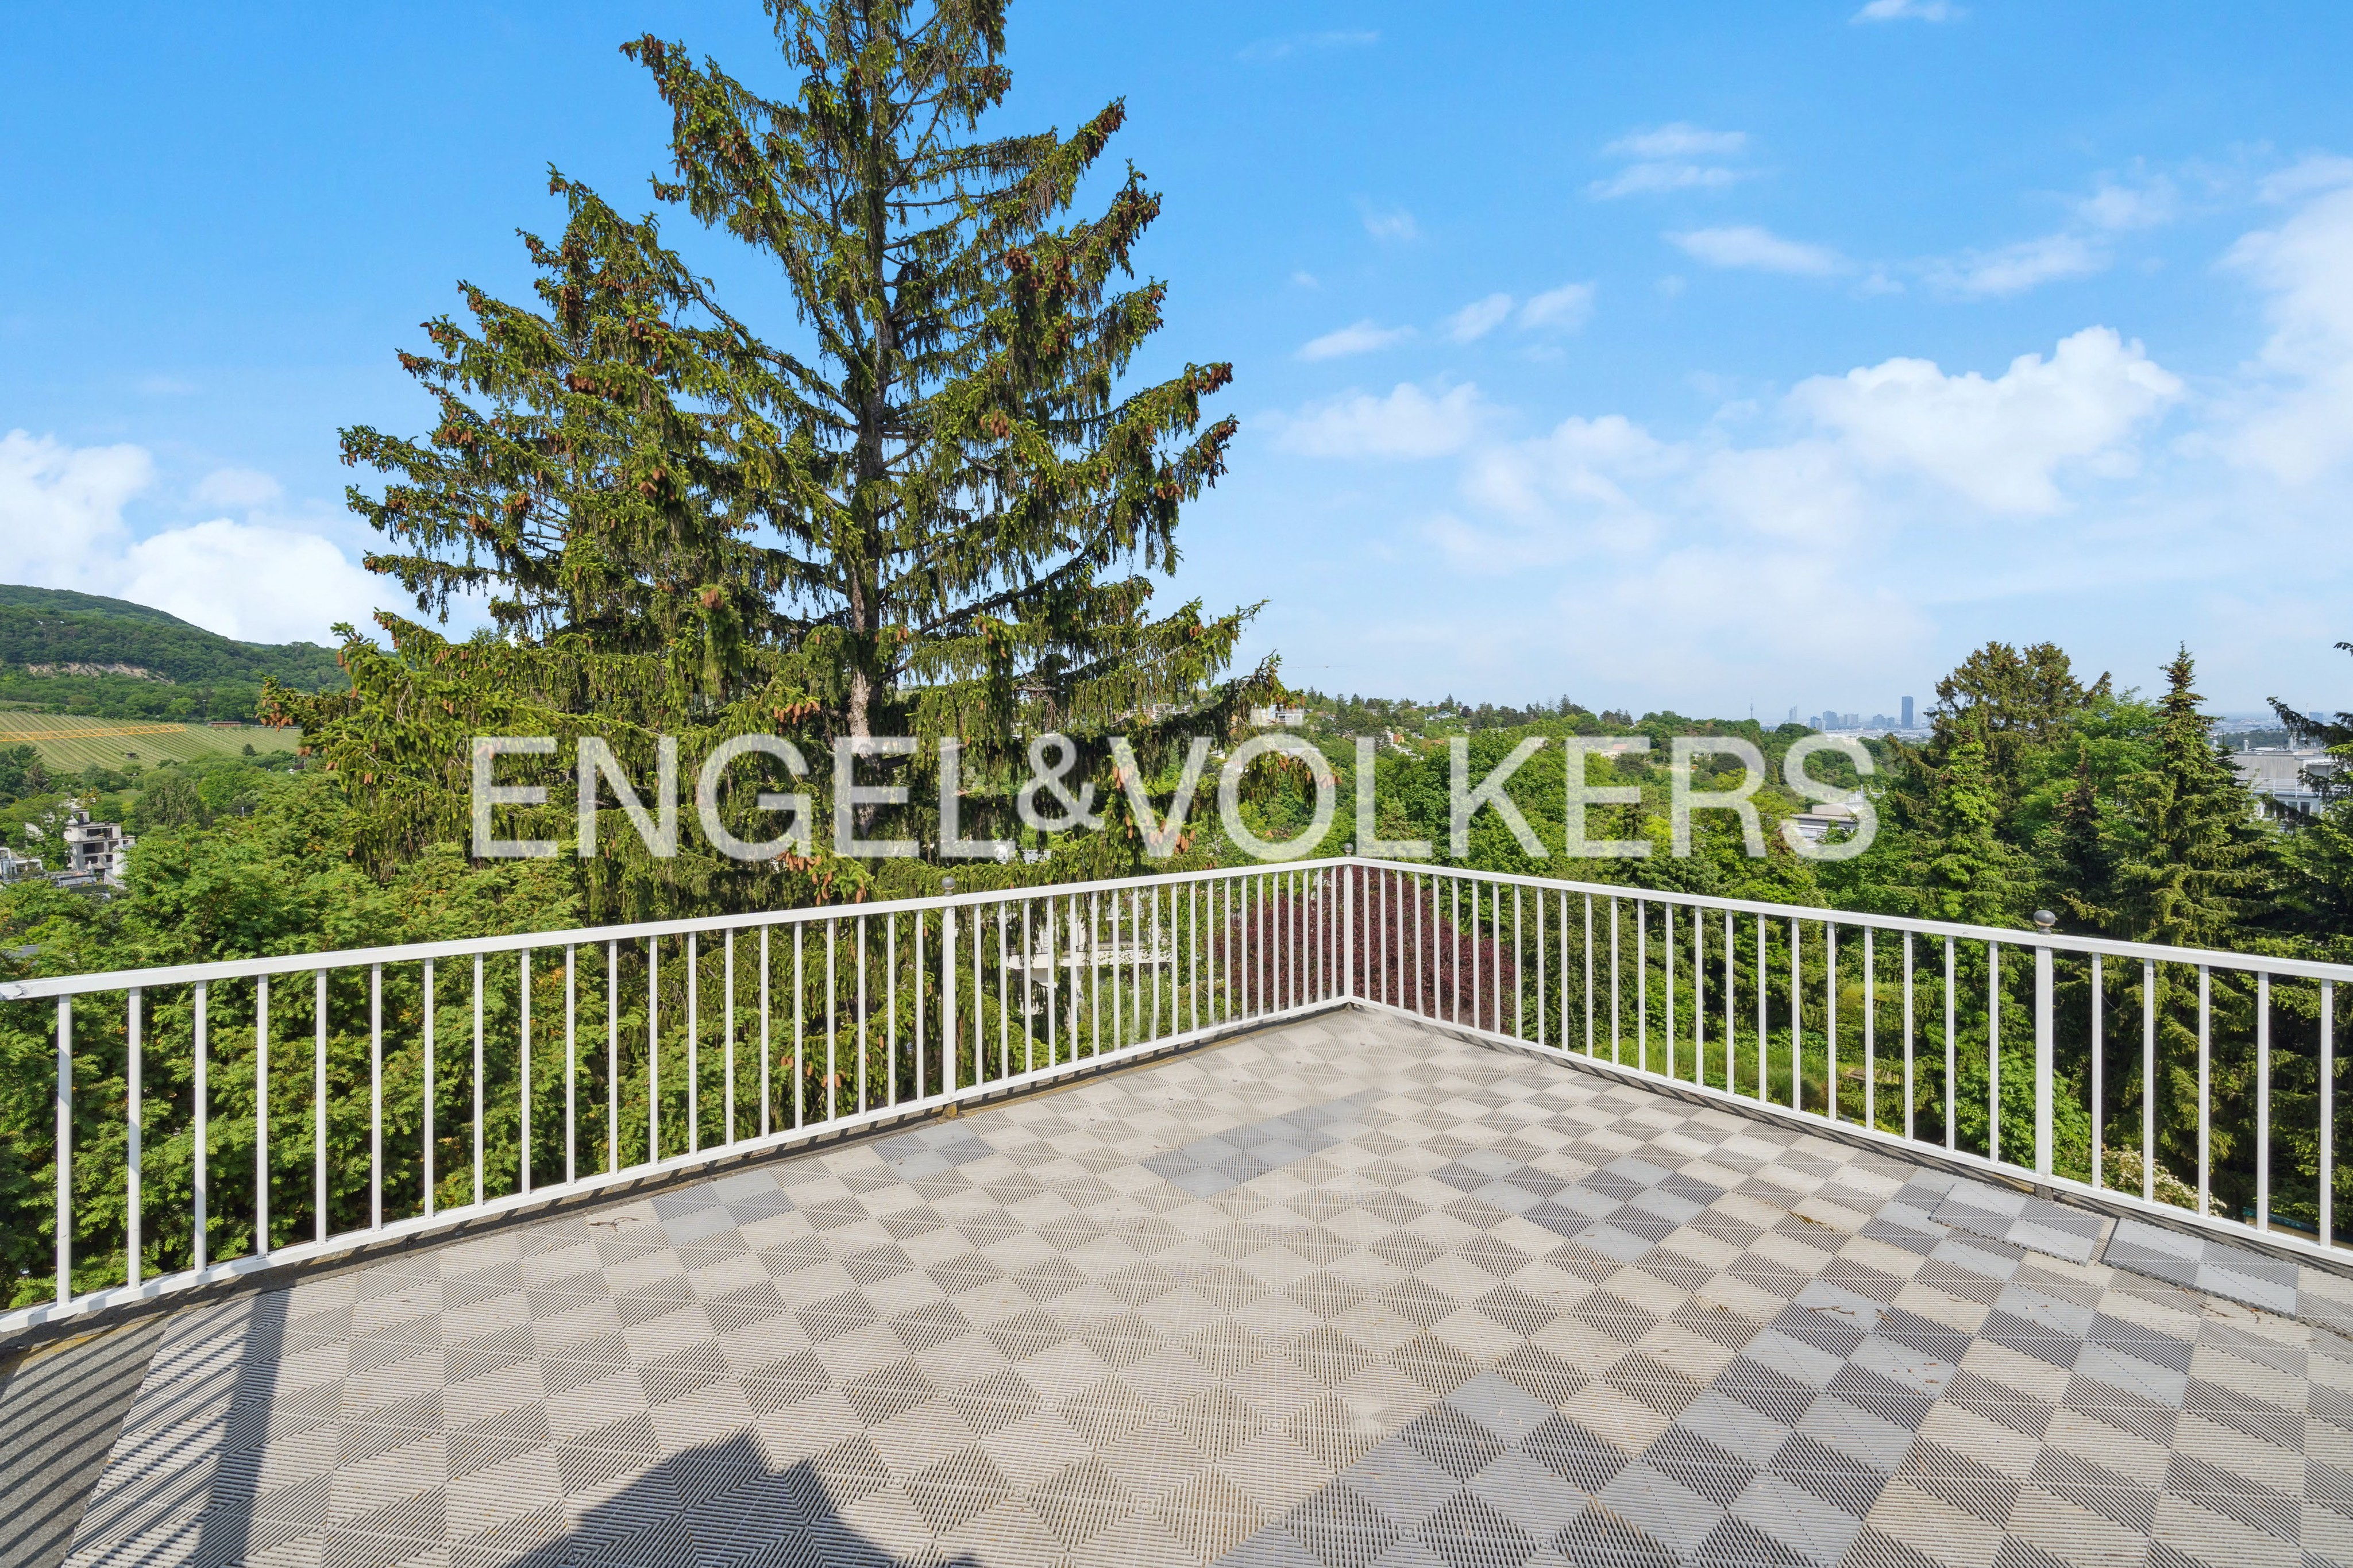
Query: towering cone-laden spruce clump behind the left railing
(938, 511)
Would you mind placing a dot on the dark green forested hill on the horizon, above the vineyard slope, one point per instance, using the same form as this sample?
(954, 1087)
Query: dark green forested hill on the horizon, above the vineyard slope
(48, 626)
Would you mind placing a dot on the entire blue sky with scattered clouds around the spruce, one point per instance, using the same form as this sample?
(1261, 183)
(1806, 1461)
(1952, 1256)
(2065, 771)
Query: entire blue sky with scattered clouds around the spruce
(1679, 356)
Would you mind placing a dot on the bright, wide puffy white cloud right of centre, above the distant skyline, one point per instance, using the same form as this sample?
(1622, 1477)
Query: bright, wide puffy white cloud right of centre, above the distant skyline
(1999, 443)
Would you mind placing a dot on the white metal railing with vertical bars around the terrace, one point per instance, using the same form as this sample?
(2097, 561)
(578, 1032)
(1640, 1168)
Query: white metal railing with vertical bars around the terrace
(211, 1125)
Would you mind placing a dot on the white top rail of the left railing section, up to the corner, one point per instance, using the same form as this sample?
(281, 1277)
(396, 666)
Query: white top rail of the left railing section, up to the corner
(585, 937)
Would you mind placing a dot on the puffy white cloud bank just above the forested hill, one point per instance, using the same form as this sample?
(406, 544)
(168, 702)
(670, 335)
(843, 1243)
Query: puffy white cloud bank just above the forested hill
(62, 514)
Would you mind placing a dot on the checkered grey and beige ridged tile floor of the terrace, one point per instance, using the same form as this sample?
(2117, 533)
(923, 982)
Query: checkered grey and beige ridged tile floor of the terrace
(1349, 1294)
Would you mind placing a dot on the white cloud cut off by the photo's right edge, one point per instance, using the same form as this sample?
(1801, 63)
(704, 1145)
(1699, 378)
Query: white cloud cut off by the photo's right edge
(2295, 422)
